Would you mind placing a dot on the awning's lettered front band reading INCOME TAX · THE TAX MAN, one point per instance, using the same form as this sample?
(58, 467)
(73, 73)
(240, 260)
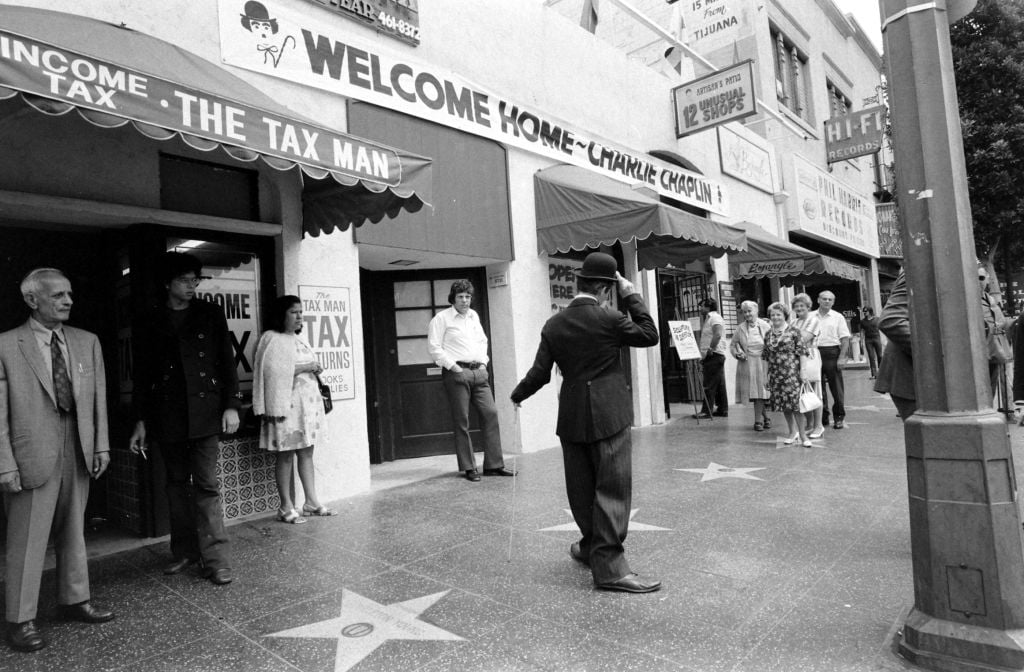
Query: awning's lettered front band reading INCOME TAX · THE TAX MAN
(33, 67)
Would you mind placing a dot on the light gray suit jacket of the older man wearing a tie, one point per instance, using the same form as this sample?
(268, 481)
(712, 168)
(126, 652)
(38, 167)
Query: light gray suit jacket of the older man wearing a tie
(30, 438)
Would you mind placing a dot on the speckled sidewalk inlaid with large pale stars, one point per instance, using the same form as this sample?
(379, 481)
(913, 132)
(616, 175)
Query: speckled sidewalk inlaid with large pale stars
(780, 559)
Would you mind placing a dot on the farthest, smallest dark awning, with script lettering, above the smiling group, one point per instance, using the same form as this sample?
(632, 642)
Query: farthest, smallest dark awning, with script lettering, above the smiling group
(767, 257)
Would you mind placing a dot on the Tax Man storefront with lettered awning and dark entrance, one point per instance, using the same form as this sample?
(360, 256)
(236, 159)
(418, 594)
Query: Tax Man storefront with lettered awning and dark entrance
(120, 147)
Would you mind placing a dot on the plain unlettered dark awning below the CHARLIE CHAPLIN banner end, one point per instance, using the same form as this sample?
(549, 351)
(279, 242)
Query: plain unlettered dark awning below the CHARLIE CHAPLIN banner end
(578, 208)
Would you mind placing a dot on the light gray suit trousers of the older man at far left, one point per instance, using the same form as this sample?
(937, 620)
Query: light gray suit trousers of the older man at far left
(59, 506)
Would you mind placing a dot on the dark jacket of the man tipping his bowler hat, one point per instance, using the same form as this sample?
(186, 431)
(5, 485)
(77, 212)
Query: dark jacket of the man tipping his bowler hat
(585, 341)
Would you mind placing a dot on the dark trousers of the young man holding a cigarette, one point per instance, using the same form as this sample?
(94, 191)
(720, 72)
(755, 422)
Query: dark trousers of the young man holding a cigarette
(197, 518)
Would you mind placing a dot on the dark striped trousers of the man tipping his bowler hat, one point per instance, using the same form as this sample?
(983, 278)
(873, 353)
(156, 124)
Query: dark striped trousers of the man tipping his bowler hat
(600, 485)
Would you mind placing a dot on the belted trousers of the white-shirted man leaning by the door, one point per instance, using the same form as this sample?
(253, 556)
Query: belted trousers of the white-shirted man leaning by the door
(473, 387)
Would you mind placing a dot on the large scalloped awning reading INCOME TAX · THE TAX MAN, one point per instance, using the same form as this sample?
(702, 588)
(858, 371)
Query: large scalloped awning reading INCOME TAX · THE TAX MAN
(113, 76)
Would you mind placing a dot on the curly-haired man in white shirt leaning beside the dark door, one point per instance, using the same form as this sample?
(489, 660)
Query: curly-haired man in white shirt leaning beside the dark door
(458, 345)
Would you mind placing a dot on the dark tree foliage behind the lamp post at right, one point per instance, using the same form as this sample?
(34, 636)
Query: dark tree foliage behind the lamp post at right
(989, 62)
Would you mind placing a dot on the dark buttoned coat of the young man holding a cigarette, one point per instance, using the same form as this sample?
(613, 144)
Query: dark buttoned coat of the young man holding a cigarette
(186, 382)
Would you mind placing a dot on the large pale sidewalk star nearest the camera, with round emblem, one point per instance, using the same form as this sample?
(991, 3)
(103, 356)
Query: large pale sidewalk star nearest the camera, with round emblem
(364, 625)
